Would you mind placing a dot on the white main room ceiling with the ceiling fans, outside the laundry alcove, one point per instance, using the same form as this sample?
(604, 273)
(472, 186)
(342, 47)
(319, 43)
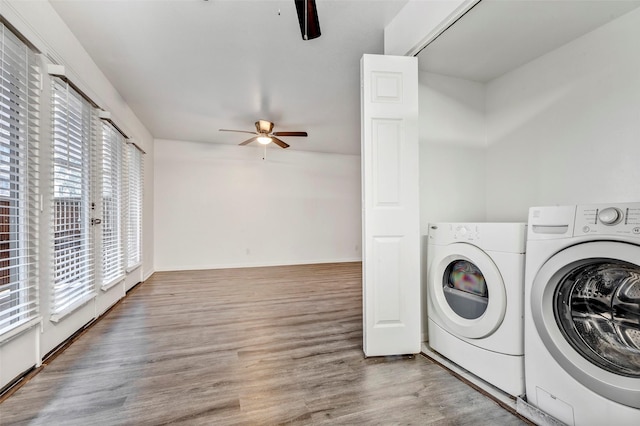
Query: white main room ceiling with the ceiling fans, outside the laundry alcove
(190, 67)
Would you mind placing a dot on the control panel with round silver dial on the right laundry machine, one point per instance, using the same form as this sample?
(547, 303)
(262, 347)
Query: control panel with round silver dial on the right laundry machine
(605, 219)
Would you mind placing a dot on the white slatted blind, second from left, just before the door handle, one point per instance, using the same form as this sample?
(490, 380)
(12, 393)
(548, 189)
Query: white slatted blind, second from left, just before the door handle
(74, 127)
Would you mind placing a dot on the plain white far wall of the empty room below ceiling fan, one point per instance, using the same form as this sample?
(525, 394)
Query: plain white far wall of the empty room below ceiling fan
(223, 206)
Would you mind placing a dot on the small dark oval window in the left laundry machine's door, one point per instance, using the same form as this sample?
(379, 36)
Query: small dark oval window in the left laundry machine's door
(465, 289)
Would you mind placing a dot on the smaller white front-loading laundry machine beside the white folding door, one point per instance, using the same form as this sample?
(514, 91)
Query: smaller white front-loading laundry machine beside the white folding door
(475, 297)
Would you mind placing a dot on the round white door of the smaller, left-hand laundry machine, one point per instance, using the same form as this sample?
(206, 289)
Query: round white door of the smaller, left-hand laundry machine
(466, 291)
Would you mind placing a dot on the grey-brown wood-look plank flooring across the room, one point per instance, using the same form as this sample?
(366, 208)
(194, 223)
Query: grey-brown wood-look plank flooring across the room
(251, 346)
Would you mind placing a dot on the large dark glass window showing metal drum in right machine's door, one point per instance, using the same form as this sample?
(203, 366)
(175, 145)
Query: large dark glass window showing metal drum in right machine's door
(597, 306)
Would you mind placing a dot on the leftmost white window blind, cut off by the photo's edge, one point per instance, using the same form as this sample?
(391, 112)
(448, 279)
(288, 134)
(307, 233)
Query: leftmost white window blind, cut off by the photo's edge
(19, 101)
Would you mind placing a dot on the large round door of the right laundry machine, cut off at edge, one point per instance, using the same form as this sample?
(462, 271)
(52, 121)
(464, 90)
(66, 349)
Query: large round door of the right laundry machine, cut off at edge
(585, 304)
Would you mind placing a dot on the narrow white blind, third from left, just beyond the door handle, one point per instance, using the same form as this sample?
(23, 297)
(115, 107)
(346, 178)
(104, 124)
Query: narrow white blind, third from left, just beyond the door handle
(112, 206)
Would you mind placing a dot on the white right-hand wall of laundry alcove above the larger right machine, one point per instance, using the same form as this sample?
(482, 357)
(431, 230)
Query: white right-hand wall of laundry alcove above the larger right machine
(565, 128)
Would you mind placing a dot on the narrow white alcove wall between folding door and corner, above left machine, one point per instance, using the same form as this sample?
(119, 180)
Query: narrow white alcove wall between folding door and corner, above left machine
(452, 150)
